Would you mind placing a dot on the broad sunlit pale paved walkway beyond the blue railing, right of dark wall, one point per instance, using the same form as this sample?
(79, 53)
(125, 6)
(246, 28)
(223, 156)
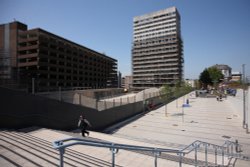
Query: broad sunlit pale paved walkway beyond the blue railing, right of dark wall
(174, 126)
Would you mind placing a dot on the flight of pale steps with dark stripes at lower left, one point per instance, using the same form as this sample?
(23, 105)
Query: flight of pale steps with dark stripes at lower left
(25, 149)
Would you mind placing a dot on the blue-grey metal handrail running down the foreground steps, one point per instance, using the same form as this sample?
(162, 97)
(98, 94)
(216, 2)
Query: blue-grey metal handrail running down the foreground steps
(228, 149)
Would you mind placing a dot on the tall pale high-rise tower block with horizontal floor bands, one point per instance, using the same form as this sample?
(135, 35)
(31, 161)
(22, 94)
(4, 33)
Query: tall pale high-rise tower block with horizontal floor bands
(157, 54)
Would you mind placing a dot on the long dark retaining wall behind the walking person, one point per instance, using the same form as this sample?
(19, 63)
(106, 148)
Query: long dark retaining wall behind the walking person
(19, 109)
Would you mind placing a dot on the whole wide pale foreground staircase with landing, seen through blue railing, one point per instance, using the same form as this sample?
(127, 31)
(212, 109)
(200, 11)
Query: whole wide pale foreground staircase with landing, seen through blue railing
(33, 147)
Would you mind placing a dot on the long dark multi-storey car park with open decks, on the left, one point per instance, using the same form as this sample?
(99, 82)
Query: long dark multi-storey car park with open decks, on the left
(56, 62)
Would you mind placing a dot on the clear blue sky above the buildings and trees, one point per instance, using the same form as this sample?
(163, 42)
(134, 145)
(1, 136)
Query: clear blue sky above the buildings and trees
(213, 31)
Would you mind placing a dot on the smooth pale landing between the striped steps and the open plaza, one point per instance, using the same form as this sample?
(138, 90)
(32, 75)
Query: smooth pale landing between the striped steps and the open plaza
(123, 157)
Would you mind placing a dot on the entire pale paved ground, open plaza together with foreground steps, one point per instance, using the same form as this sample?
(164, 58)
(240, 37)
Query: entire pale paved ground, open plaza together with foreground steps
(170, 126)
